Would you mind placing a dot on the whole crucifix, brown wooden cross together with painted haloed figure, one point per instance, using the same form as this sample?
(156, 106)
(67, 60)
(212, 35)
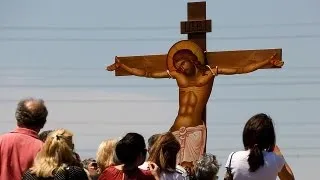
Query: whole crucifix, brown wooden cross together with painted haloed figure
(194, 70)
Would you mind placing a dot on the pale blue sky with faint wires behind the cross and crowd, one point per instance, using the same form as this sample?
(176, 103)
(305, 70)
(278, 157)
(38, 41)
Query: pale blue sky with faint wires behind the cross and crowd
(57, 50)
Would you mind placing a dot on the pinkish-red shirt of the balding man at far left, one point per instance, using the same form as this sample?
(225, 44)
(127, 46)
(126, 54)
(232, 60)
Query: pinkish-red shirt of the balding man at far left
(17, 152)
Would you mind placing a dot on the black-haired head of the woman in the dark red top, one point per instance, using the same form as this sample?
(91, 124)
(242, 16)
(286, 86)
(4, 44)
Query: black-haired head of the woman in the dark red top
(131, 150)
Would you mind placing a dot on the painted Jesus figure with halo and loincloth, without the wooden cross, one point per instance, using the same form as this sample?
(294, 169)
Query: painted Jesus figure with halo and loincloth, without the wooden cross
(186, 64)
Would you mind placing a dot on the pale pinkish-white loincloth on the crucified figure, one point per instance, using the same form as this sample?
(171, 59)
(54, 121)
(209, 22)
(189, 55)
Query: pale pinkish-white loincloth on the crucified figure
(192, 141)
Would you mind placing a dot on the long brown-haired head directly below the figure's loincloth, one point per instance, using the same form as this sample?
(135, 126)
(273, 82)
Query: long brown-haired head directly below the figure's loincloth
(164, 152)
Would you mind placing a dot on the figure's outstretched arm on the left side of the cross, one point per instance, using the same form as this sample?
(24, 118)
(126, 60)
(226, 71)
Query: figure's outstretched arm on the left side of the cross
(138, 72)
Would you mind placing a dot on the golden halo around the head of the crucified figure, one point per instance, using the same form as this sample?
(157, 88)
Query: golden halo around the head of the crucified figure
(184, 44)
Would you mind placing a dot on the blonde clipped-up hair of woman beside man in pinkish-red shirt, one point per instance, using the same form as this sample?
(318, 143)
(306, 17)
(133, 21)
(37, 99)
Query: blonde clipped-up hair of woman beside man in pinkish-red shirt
(55, 155)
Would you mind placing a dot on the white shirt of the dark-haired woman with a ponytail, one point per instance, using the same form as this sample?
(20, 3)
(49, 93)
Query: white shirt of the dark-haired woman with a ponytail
(240, 168)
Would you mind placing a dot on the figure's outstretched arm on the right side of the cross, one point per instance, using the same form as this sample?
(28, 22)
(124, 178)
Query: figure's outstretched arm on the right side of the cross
(251, 67)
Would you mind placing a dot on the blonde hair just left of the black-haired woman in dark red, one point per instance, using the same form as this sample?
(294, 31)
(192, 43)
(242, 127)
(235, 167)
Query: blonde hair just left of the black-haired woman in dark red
(106, 154)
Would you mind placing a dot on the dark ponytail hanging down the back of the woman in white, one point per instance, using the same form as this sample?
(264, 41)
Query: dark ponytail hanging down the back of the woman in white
(255, 159)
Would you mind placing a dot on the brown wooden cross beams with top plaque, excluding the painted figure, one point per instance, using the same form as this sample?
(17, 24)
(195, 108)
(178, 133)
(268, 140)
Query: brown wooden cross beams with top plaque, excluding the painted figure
(196, 27)
